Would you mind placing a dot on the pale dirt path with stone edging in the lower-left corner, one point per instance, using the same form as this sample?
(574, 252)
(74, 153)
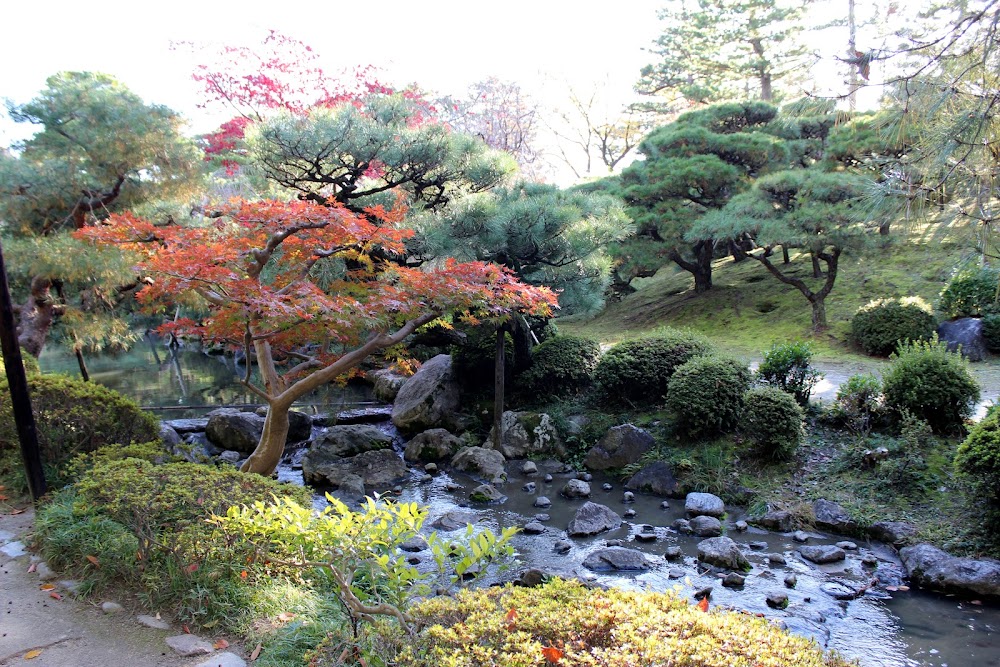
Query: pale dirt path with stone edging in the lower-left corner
(39, 629)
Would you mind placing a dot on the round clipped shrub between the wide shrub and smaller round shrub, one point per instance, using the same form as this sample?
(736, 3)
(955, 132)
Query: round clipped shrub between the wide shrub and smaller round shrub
(705, 395)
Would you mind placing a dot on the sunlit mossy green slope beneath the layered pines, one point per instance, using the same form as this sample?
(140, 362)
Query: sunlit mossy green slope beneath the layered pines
(747, 309)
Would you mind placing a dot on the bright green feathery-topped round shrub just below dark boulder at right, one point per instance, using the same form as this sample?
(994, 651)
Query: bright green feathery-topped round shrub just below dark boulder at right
(930, 382)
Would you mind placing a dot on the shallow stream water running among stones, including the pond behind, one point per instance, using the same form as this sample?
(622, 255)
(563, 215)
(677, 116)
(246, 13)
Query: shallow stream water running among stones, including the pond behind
(884, 627)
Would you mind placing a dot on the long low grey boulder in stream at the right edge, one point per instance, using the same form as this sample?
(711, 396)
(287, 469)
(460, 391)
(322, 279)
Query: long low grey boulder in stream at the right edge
(932, 568)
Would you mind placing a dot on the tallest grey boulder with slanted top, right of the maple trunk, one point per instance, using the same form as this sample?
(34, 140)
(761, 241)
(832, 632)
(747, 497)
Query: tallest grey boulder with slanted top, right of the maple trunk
(429, 399)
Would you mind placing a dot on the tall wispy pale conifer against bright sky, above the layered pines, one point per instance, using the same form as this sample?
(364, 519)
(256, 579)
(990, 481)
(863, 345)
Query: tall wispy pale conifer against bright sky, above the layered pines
(720, 50)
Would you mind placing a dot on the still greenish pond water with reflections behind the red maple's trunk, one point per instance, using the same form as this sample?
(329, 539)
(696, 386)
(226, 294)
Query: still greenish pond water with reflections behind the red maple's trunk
(185, 382)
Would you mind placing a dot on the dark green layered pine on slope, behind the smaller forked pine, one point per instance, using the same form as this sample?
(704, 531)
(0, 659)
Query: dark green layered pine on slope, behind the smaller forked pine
(690, 167)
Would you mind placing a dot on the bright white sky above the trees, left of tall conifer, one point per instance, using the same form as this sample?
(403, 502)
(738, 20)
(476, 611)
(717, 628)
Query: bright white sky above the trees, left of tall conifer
(442, 45)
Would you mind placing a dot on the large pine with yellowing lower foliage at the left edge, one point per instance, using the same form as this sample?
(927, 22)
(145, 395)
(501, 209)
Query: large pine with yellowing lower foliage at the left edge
(99, 149)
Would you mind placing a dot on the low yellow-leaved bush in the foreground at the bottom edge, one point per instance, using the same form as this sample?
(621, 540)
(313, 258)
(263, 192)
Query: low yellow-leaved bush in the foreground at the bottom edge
(593, 626)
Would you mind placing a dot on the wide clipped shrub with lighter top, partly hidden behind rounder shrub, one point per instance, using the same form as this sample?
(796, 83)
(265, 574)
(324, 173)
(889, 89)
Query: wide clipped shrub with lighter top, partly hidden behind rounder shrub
(638, 372)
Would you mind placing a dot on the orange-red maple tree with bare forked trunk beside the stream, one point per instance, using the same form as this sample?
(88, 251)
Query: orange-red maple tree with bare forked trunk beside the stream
(257, 268)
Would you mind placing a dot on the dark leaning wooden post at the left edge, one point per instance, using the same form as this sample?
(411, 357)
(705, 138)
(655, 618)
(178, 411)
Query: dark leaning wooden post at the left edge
(18, 383)
